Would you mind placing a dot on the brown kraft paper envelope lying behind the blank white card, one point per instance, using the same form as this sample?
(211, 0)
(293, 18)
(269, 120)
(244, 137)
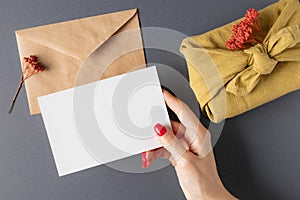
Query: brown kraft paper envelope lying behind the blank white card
(66, 48)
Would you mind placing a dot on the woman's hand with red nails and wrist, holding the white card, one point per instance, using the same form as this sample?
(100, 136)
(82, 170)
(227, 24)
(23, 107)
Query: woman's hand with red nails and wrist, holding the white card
(190, 152)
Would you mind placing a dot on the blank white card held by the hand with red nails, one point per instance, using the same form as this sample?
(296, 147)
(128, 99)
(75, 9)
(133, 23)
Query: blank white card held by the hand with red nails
(104, 121)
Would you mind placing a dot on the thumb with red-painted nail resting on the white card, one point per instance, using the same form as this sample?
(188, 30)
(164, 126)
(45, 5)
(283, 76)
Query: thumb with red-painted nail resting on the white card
(170, 142)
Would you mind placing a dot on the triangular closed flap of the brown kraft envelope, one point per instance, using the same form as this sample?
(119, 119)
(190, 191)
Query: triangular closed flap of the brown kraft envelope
(78, 38)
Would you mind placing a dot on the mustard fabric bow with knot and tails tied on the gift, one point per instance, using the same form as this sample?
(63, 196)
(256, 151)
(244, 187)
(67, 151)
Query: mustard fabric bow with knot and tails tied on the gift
(263, 58)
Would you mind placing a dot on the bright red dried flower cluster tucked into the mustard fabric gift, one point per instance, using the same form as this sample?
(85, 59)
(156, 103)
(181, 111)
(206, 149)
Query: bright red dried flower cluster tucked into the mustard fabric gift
(247, 33)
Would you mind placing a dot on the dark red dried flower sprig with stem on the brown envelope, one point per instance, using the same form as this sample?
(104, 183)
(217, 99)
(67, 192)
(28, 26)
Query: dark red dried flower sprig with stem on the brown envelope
(30, 67)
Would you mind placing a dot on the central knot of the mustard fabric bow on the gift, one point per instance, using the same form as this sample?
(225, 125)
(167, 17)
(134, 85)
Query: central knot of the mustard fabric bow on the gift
(260, 60)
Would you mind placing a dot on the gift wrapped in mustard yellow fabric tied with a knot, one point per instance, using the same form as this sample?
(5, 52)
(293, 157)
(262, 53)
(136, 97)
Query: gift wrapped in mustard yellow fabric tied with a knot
(230, 82)
